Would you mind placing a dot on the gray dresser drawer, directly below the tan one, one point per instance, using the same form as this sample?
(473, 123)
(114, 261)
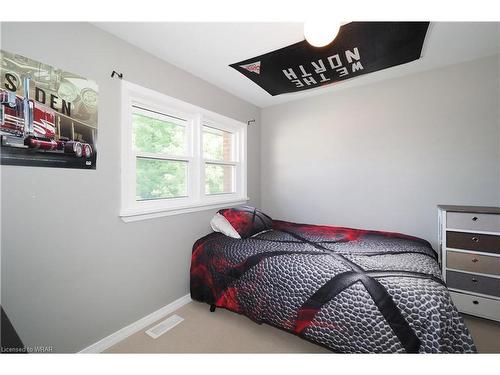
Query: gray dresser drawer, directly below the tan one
(473, 283)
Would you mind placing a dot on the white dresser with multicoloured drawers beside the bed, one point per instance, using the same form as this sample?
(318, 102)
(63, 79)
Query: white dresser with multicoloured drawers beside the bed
(469, 247)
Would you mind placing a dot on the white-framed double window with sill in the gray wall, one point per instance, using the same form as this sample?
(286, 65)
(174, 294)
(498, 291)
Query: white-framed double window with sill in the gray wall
(178, 157)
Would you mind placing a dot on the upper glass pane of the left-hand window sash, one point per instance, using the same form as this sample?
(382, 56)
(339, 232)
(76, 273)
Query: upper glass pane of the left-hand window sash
(158, 134)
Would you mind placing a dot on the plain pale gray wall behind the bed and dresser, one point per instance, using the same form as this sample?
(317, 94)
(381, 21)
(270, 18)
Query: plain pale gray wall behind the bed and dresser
(383, 156)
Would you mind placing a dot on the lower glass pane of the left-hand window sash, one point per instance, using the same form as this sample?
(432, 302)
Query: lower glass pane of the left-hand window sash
(157, 179)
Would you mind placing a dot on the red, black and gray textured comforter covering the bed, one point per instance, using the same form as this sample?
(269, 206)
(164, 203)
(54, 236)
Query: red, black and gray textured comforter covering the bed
(350, 290)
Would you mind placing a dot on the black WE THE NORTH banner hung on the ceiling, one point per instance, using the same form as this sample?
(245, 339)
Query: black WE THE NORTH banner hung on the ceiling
(359, 48)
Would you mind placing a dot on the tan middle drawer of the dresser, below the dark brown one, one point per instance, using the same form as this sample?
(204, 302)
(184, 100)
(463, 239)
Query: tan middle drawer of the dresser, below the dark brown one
(473, 262)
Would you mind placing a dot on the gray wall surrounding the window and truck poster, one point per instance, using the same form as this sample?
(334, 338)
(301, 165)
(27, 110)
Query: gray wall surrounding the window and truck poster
(72, 271)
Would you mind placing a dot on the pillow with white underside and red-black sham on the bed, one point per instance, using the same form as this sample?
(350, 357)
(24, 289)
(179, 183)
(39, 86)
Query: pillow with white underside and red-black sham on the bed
(240, 222)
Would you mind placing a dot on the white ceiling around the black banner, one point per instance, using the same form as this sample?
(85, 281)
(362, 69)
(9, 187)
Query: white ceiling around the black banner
(206, 50)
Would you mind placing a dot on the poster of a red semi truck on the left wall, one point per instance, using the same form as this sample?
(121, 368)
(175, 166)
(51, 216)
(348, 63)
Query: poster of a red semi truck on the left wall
(48, 117)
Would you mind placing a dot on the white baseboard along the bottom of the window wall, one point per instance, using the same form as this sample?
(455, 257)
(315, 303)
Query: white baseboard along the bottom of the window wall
(142, 323)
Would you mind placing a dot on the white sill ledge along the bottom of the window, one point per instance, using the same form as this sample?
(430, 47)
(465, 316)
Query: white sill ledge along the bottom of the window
(145, 214)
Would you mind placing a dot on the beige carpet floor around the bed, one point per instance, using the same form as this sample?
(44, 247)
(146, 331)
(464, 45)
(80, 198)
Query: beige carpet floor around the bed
(227, 332)
